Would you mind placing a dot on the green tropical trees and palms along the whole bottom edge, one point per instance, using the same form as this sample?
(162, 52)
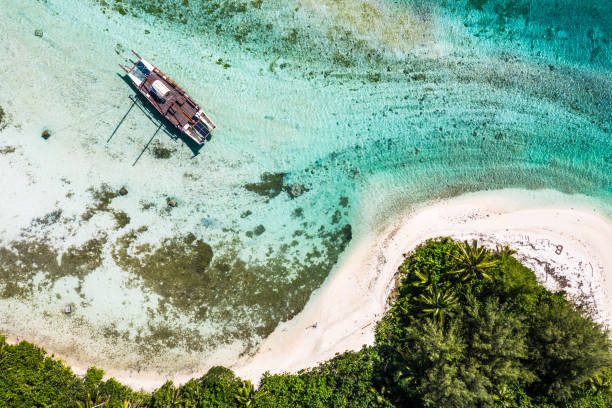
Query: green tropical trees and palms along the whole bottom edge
(469, 327)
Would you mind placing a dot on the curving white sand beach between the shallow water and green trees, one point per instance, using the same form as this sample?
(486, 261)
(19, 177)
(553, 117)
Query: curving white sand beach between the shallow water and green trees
(341, 315)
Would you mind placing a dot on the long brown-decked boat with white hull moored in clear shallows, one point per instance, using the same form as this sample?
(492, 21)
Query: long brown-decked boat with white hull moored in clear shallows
(170, 100)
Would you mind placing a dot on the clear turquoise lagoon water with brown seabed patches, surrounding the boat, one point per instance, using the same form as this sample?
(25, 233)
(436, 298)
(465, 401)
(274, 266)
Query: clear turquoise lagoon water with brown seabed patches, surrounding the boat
(373, 107)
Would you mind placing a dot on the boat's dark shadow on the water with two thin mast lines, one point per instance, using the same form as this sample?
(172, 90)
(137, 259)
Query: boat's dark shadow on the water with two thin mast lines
(158, 120)
